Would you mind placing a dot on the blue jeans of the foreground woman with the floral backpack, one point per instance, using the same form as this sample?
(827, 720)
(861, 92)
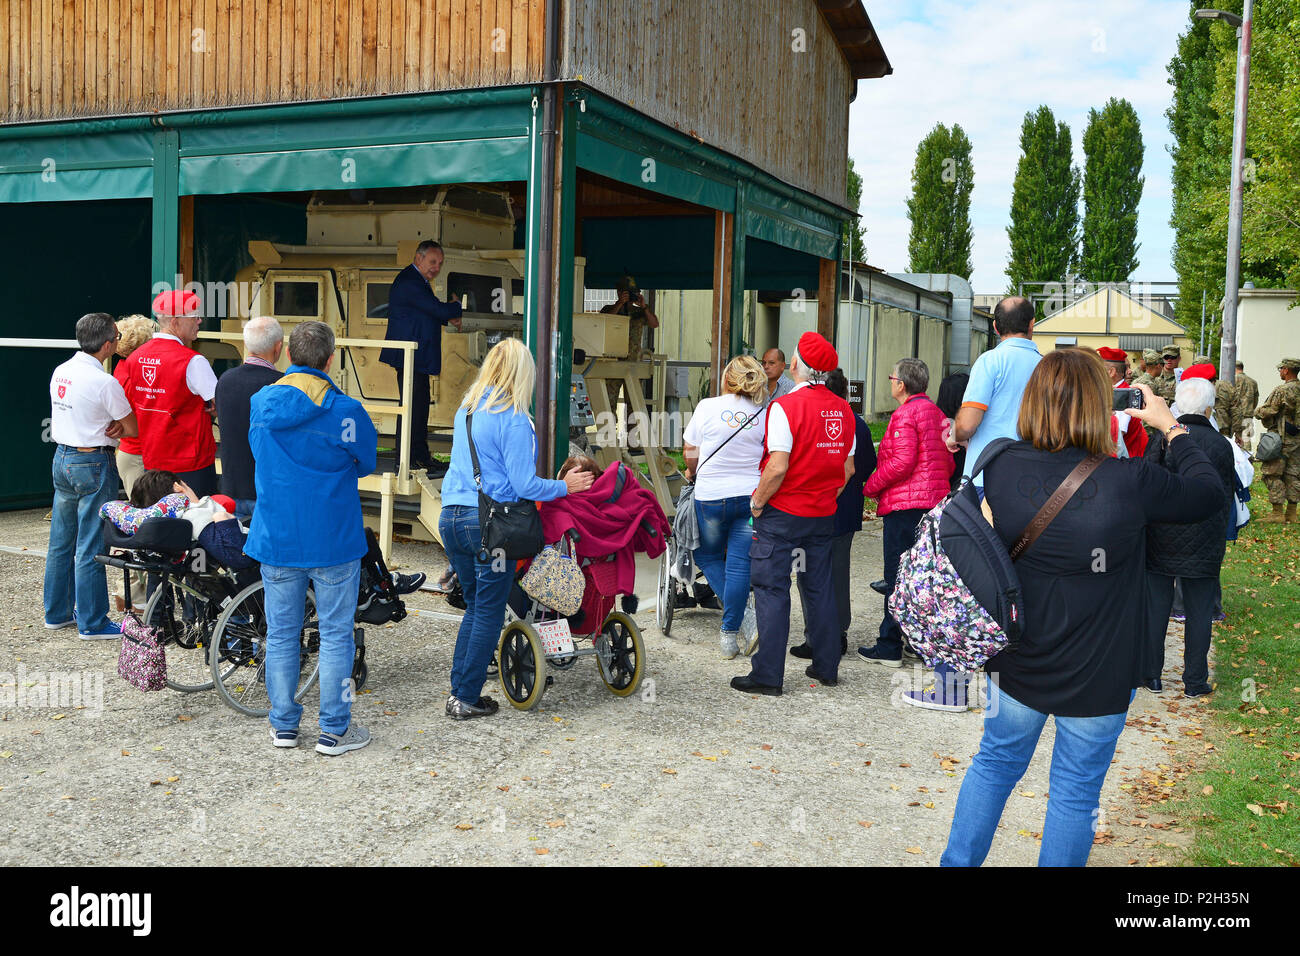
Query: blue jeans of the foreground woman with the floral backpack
(1081, 759)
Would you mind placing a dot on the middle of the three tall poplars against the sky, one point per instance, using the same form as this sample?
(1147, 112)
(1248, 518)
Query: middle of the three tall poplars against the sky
(1045, 231)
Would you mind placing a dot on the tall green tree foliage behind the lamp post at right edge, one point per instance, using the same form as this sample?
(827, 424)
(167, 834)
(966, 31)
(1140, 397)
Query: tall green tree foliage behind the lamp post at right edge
(1204, 79)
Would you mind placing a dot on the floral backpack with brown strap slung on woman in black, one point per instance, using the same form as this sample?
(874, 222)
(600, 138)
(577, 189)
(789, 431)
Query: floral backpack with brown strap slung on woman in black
(957, 596)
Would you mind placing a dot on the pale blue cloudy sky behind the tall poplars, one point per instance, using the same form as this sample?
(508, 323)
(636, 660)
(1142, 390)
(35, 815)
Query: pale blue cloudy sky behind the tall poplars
(985, 64)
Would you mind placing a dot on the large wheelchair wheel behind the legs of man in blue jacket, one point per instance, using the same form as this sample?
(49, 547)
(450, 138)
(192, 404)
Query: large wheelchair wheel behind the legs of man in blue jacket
(240, 652)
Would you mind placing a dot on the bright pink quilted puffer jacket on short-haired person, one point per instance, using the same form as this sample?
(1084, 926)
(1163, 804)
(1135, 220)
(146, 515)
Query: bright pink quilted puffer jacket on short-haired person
(915, 465)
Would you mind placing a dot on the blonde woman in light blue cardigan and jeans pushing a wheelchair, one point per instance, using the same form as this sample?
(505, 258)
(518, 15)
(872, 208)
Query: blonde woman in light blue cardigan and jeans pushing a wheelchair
(495, 414)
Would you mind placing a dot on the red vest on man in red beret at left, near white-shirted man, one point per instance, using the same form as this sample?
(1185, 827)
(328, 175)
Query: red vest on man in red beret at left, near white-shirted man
(176, 430)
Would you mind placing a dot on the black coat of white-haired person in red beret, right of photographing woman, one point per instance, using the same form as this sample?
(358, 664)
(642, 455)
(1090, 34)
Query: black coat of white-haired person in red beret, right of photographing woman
(1194, 551)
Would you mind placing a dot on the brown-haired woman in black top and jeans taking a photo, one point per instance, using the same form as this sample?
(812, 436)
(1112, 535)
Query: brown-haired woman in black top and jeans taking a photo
(1084, 581)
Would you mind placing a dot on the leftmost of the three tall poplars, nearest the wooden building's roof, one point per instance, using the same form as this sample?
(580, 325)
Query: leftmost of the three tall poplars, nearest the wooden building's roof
(941, 206)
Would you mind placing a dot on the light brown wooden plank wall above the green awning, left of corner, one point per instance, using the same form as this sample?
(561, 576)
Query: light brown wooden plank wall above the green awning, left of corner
(102, 58)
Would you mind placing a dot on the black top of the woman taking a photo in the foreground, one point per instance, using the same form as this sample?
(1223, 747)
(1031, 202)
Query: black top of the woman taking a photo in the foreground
(1085, 578)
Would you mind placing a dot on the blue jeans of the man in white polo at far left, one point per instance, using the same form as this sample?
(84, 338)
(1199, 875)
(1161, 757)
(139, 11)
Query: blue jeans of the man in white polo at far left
(84, 482)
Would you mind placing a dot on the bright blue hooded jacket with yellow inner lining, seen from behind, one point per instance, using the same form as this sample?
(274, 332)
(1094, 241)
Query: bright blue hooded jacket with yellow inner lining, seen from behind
(311, 443)
